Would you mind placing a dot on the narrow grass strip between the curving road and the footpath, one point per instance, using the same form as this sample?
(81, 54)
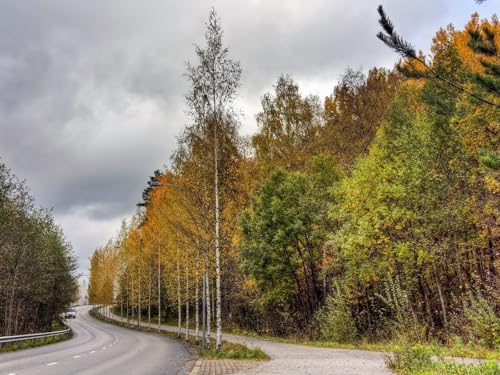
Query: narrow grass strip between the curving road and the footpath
(228, 350)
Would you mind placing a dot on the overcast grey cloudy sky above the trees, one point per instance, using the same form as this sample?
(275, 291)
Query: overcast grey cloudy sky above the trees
(91, 92)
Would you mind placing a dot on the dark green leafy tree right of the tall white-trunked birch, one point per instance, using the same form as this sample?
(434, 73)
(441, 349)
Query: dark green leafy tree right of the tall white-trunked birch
(283, 234)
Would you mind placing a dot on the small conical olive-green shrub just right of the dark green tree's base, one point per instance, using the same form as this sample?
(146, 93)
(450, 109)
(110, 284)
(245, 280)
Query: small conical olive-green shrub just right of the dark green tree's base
(335, 319)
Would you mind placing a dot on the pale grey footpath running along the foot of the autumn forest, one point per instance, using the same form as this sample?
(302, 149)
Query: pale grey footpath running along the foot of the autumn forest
(292, 359)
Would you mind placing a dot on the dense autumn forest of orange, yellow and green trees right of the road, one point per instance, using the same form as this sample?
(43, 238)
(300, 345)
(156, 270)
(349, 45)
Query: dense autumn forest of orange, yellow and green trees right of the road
(369, 215)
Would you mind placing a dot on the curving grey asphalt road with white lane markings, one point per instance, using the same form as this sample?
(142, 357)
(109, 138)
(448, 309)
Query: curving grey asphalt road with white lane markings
(99, 348)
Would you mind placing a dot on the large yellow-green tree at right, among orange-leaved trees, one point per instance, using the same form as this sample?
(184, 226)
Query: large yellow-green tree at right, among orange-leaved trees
(410, 208)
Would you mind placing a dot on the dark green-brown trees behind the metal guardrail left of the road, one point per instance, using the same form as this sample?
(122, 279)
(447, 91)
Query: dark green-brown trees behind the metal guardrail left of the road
(37, 265)
